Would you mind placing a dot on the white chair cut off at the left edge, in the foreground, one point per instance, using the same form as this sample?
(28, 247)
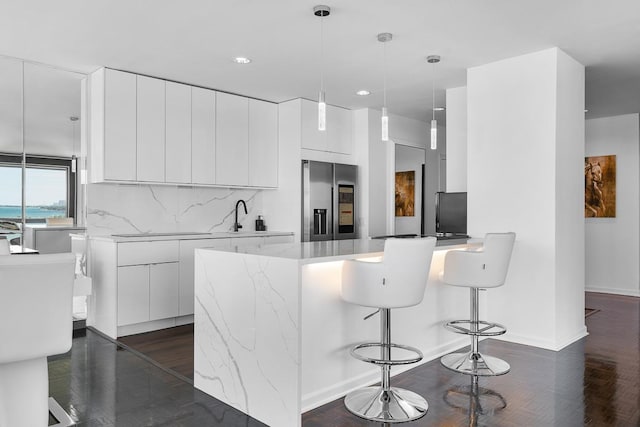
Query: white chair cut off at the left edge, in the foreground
(35, 322)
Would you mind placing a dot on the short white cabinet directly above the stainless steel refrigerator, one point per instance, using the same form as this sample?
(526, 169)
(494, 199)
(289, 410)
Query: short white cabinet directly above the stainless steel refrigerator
(337, 138)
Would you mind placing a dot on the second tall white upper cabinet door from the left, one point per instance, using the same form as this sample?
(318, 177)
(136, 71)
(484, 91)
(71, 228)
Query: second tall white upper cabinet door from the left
(150, 129)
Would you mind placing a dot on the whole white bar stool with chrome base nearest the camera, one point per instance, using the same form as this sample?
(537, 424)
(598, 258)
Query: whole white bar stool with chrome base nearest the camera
(397, 281)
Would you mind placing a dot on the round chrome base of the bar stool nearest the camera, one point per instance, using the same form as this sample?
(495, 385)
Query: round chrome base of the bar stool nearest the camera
(395, 405)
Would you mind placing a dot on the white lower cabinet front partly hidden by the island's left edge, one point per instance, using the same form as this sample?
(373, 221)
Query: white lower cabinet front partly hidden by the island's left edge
(187, 264)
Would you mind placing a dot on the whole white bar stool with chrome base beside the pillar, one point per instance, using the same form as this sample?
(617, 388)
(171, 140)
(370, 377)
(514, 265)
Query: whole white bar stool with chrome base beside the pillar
(478, 269)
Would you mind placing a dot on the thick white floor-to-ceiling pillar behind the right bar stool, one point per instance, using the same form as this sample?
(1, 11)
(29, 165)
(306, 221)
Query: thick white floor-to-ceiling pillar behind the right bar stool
(520, 111)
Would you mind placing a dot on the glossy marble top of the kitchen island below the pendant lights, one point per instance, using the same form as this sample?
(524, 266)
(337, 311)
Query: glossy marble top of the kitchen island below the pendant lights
(332, 250)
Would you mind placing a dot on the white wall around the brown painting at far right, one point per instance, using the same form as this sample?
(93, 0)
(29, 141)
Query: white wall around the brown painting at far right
(612, 244)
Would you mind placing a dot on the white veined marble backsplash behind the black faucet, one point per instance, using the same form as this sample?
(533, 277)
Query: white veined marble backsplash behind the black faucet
(144, 208)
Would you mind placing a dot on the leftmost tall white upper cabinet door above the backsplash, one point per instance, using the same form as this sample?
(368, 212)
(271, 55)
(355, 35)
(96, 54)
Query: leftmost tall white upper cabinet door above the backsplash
(120, 126)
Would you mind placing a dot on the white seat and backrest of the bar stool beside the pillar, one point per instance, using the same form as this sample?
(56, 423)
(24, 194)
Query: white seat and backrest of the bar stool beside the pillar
(483, 268)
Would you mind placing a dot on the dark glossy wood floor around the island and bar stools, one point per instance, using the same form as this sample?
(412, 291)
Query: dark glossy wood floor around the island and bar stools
(593, 382)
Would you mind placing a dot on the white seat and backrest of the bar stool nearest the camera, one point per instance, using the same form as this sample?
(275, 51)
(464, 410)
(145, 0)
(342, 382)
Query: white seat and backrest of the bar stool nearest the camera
(399, 280)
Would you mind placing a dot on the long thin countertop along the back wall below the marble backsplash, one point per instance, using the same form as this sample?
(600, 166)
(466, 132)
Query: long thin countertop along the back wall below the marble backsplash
(185, 235)
